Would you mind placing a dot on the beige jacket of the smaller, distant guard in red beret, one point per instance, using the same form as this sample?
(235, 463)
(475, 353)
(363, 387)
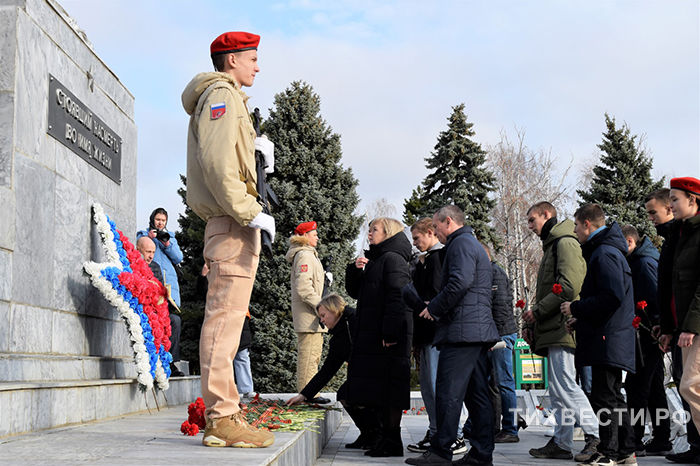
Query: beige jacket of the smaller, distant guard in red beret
(307, 284)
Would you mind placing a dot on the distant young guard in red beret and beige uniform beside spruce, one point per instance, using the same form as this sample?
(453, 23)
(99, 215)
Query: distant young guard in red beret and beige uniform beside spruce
(307, 290)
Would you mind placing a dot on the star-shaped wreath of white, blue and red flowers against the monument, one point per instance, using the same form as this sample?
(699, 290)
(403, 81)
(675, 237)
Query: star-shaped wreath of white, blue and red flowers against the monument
(127, 283)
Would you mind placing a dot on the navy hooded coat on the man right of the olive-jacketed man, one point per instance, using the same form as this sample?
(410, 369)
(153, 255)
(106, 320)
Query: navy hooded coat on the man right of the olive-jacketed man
(604, 331)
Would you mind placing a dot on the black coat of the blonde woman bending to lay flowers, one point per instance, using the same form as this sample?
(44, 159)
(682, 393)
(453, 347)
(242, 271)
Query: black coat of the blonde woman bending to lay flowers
(339, 349)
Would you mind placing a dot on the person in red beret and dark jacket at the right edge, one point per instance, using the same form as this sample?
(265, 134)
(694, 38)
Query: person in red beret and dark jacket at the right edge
(681, 304)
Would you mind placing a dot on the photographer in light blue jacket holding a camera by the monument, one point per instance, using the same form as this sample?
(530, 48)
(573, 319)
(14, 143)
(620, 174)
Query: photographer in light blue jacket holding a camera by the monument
(167, 255)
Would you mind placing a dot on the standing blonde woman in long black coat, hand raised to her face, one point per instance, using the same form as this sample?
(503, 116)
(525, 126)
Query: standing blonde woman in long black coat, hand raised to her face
(379, 370)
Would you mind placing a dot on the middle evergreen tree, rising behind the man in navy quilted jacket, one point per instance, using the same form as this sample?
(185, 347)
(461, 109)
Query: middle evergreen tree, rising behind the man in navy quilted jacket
(458, 176)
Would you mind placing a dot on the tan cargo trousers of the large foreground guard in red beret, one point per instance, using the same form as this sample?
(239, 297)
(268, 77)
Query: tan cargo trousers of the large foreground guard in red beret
(231, 252)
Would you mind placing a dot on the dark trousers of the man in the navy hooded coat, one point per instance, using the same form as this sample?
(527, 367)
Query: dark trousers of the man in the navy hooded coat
(616, 434)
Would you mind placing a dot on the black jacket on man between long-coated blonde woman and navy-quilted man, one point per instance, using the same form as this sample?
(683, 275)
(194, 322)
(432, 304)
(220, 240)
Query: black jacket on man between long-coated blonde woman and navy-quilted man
(427, 278)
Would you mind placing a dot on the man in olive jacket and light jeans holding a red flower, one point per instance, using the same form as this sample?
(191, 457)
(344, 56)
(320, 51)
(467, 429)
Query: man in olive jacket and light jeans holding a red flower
(559, 279)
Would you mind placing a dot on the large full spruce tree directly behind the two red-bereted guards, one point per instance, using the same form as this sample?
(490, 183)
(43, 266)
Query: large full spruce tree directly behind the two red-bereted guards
(311, 184)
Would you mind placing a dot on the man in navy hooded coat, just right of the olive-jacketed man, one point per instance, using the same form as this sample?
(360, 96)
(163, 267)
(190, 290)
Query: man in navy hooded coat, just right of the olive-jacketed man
(603, 322)
